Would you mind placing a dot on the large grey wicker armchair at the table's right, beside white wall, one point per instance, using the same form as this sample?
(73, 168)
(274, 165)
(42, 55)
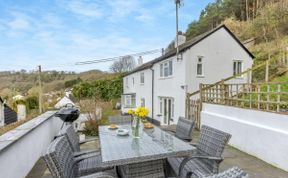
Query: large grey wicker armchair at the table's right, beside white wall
(207, 157)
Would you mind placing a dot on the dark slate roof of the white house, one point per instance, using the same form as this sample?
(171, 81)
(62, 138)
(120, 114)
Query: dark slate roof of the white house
(186, 46)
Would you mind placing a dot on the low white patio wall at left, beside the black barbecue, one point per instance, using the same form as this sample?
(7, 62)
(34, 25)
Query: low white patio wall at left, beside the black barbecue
(21, 147)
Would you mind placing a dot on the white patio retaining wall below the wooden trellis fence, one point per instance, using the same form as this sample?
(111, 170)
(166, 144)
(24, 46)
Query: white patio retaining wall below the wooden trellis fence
(261, 134)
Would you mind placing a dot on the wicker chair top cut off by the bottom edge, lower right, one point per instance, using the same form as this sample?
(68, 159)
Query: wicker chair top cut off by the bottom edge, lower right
(234, 172)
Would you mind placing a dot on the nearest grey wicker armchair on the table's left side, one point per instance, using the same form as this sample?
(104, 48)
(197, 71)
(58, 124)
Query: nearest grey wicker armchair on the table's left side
(62, 163)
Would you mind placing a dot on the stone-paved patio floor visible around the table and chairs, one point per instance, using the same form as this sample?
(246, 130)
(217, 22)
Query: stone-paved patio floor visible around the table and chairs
(233, 157)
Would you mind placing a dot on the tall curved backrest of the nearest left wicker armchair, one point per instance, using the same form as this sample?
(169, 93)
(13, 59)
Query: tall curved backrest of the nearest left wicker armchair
(59, 159)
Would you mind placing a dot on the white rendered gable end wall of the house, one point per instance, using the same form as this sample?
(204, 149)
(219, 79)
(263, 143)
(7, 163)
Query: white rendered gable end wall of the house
(219, 50)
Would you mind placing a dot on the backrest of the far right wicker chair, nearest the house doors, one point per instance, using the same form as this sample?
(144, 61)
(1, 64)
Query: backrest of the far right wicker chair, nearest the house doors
(184, 129)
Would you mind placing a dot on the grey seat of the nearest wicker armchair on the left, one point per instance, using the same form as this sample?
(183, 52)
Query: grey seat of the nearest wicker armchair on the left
(91, 165)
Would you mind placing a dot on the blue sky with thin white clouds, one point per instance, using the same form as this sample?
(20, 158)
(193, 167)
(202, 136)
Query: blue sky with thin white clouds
(58, 33)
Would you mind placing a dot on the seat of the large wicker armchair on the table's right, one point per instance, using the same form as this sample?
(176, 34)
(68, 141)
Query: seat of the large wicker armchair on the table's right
(195, 166)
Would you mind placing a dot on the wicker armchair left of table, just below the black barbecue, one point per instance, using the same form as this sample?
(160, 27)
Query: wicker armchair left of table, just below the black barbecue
(75, 143)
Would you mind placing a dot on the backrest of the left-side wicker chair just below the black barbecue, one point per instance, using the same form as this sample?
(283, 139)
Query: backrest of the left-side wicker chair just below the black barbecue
(72, 137)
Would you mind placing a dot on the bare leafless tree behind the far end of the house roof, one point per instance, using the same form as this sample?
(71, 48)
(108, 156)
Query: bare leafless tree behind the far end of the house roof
(125, 64)
